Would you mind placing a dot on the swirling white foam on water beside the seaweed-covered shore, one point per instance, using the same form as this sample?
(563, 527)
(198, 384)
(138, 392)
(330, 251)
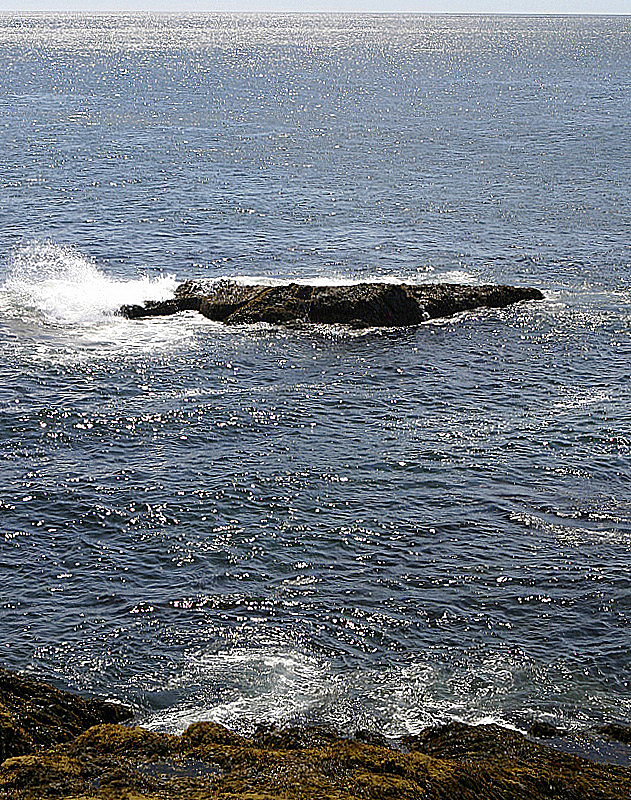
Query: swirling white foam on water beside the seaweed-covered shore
(246, 686)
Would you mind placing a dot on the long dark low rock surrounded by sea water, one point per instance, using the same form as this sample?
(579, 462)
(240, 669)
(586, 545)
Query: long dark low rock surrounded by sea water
(361, 305)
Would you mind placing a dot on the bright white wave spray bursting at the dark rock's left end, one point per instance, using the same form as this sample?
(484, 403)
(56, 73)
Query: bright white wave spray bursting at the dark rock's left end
(59, 285)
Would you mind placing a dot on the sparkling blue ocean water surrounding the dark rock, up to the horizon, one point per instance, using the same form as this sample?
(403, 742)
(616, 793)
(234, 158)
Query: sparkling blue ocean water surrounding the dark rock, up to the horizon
(381, 529)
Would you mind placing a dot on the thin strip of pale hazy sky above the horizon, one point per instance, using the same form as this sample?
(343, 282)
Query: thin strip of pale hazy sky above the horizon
(433, 6)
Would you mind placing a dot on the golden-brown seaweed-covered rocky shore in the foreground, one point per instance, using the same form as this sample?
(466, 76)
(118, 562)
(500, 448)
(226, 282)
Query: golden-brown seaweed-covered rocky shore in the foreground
(57, 745)
